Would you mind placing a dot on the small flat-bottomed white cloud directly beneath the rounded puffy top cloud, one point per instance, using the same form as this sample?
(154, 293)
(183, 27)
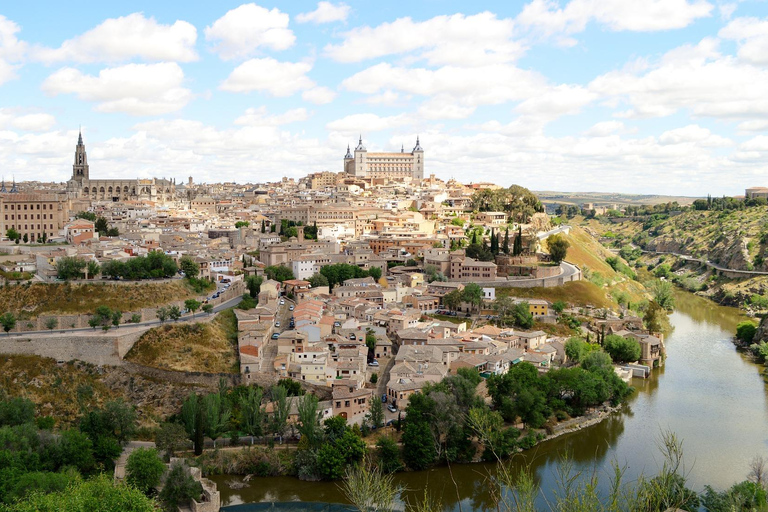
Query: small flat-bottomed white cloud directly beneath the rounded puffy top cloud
(269, 75)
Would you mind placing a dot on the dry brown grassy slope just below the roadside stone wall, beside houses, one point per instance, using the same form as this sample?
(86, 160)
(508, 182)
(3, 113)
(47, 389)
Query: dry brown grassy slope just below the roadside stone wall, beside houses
(199, 347)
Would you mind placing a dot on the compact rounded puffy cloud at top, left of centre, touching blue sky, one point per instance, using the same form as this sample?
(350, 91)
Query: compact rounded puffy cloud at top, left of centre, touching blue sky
(244, 30)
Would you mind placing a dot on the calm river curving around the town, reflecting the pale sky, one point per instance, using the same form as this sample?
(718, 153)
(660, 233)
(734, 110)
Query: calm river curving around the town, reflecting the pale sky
(711, 396)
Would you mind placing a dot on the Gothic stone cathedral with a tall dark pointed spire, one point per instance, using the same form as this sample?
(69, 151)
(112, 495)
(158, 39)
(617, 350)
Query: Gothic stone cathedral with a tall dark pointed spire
(81, 186)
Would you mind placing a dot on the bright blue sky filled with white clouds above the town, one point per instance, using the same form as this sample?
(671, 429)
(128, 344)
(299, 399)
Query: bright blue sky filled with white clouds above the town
(644, 97)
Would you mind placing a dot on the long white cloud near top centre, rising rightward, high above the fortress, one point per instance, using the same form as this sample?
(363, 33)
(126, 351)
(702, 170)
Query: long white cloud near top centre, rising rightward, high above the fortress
(475, 40)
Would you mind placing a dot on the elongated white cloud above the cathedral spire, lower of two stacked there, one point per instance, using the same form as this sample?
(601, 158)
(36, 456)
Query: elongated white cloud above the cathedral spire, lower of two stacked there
(137, 89)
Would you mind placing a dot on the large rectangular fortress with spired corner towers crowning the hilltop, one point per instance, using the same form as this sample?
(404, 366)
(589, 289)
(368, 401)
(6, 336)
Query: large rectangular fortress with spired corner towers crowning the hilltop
(385, 165)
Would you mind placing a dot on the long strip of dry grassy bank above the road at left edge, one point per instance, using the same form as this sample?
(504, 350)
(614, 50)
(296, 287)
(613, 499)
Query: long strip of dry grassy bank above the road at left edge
(71, 298)
